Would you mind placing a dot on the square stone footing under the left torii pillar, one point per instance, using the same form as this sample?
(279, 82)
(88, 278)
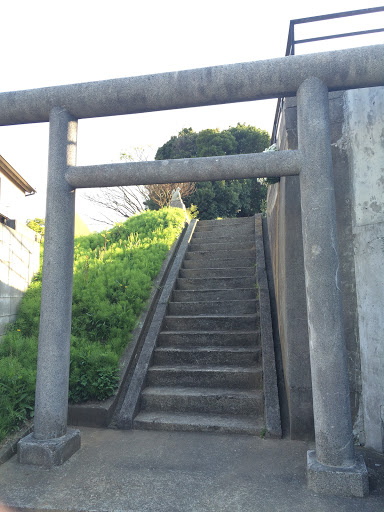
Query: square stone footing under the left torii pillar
(48, 453)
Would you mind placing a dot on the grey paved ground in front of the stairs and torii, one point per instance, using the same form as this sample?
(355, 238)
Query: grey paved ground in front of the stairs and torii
(139, 471)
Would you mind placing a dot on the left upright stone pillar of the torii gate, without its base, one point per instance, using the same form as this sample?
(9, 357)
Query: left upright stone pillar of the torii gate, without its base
(51, 406)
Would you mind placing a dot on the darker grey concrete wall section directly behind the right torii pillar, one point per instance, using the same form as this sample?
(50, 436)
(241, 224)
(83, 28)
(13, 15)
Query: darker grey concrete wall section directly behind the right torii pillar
(284, 220)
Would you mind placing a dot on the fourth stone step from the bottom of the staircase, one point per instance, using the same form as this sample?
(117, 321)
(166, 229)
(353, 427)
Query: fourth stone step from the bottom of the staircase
(220, 356)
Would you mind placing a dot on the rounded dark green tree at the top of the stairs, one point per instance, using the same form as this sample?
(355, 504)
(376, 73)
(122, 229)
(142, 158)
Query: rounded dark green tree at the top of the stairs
(225, 198)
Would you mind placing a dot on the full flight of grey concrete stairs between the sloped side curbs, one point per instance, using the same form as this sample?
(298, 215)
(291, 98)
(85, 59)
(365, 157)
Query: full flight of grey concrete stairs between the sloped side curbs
(206, 372)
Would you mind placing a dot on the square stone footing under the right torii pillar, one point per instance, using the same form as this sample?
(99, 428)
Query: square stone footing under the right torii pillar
(337, 481)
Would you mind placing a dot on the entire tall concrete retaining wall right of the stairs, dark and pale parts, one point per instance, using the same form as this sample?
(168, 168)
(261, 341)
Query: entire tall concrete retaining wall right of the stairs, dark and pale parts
(358, 155)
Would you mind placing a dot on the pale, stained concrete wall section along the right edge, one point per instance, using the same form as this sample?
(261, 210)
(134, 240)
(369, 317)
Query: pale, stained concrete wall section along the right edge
(364, 134)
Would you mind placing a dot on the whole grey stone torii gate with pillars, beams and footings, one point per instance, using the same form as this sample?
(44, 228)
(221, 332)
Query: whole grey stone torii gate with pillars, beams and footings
(333, 467)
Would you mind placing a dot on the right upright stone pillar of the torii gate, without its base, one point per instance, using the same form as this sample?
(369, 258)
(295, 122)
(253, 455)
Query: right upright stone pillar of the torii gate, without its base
(330, 387)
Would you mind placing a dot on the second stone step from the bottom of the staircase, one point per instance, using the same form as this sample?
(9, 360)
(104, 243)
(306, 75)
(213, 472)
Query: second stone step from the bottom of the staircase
(203, 400)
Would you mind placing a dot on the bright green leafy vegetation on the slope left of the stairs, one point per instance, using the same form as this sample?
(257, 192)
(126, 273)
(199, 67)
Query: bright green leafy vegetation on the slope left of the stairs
(113, 274)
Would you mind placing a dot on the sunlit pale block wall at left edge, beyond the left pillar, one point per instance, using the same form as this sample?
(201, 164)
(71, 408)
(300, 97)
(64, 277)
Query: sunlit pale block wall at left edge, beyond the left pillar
(19, 261)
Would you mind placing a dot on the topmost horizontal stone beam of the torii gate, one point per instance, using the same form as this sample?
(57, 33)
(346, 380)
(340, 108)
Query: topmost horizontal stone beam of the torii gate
(356, 67)
